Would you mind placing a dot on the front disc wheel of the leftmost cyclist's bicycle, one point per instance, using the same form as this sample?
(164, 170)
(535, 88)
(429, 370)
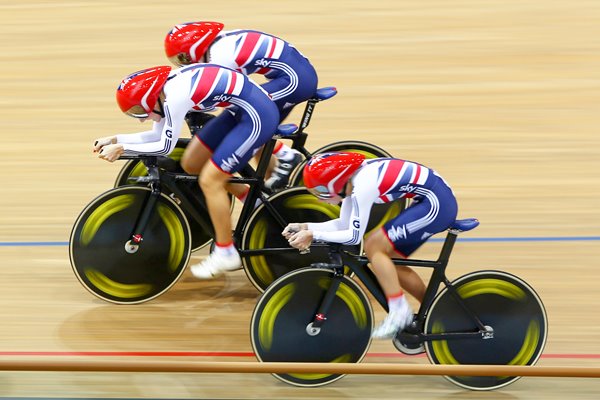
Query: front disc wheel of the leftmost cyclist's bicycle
(97, 246)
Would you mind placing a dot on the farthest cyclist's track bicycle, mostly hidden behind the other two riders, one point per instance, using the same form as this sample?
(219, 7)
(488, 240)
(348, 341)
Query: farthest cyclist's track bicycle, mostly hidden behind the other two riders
(135, 168)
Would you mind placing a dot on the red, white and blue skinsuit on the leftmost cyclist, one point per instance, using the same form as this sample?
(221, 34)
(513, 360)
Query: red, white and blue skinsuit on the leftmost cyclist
(206, 87)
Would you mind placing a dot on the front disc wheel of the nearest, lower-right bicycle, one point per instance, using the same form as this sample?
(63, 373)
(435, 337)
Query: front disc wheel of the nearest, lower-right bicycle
(285, 310)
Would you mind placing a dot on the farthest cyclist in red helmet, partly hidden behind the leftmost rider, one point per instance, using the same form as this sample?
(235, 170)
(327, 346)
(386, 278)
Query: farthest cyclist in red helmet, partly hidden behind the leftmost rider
(291, 79)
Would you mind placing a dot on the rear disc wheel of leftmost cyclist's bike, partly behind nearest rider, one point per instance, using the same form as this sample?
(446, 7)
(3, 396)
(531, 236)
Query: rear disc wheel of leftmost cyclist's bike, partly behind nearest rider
(262, 231)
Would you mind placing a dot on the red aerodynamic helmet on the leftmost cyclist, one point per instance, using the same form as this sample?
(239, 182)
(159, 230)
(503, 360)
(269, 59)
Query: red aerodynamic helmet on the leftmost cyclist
(138, 93)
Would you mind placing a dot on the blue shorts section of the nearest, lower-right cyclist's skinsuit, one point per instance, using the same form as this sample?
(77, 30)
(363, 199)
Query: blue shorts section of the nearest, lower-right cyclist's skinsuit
(439, 213)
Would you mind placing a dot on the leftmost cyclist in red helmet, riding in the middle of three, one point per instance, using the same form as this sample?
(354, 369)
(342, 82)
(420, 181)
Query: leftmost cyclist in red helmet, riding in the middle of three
(165, 97)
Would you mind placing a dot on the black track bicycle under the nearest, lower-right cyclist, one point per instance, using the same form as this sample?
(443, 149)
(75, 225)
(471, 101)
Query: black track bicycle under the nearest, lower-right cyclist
(320, 314)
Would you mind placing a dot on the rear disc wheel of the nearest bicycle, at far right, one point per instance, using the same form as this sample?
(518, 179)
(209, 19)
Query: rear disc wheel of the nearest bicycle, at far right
(502, 301)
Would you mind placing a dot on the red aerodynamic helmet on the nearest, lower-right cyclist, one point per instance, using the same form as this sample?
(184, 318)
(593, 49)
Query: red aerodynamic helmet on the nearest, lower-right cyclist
(326, 174)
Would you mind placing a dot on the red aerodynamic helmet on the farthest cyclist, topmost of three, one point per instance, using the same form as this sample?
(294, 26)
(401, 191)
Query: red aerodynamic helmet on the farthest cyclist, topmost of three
(186, 43)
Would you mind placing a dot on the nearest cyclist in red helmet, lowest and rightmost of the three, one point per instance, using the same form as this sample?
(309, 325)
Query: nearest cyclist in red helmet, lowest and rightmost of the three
(360, 183)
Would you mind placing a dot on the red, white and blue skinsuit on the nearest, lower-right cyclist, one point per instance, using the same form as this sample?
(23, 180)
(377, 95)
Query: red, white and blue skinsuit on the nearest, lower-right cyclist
(433, 208)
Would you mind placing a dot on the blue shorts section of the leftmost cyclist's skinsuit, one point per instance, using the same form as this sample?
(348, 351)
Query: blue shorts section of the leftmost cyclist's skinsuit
(233, 136)
